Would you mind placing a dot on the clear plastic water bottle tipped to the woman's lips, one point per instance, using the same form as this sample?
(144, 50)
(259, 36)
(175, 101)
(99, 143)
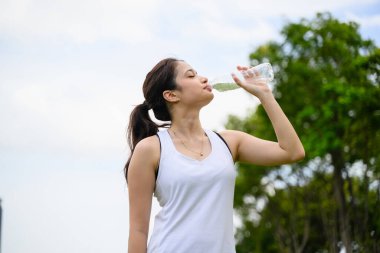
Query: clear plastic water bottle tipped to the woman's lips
(262, 72)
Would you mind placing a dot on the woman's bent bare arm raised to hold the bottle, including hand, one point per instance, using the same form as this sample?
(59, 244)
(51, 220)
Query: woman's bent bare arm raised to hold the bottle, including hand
(247, 148)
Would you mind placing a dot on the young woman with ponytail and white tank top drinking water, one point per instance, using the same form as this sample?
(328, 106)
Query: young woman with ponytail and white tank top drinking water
(190, 170)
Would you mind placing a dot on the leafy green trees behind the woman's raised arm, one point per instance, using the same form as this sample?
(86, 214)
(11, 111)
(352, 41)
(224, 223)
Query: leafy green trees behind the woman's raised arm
(327, 82)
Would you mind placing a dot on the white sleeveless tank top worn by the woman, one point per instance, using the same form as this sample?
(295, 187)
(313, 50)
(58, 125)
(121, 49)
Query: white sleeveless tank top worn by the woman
(196, 199)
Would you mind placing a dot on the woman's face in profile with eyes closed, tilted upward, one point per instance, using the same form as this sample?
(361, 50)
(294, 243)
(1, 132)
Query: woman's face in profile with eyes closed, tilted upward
(193, 89)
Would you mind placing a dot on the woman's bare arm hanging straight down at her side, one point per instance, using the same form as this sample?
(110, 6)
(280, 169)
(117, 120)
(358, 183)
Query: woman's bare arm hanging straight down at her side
(141, 183)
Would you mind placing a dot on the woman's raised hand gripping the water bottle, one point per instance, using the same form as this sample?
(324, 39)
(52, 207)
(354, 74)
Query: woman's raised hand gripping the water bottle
(256, 86)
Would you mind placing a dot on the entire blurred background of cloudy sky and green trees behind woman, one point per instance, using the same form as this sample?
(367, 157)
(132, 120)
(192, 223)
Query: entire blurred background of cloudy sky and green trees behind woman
(71, 72)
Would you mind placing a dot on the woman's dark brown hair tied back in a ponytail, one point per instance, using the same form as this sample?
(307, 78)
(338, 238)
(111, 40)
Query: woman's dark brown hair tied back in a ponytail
(159, 79)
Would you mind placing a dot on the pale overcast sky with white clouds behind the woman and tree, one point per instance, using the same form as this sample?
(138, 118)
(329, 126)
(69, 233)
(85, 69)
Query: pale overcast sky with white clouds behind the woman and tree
(70, 73)
